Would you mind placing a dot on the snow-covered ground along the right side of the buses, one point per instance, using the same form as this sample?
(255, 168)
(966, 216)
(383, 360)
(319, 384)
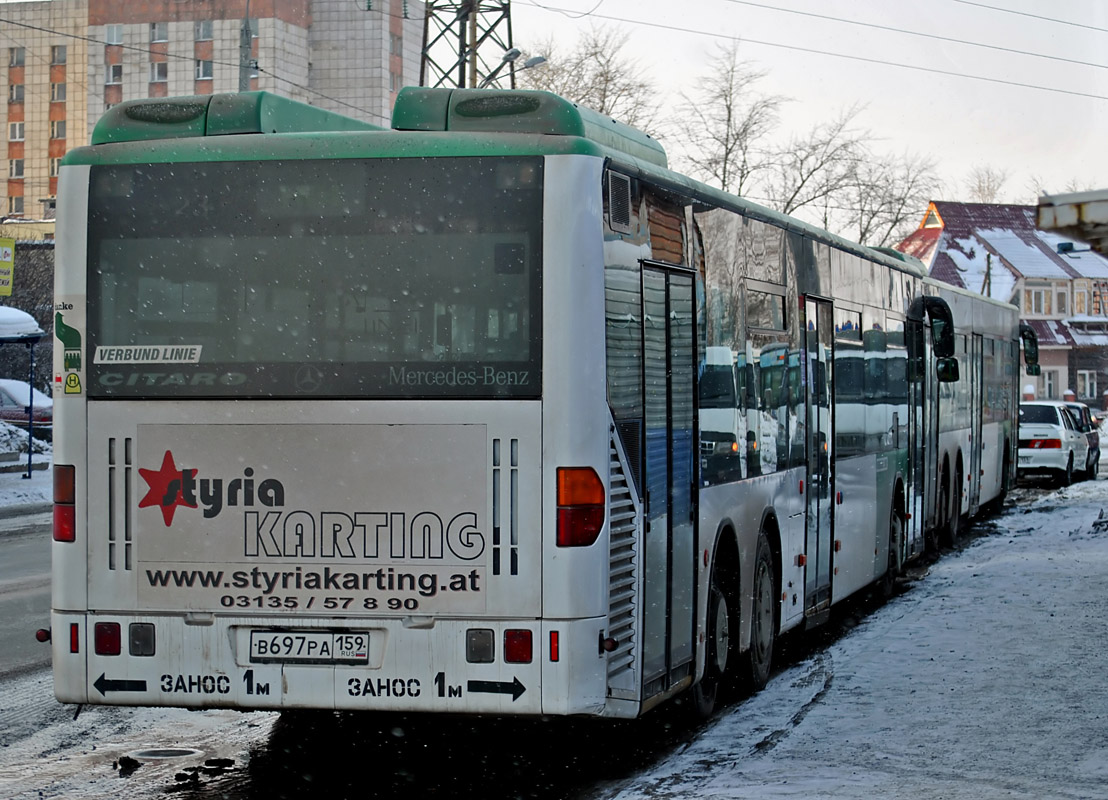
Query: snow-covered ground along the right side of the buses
(986, 680)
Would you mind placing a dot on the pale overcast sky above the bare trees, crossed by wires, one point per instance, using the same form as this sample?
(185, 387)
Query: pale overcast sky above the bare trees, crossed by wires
(1056, 134)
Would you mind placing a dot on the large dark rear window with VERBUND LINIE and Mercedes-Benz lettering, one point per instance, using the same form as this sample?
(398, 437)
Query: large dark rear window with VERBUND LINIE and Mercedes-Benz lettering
(377, 279)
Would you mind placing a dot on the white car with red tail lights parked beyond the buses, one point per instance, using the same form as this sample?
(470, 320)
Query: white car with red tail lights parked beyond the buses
(1051, 443)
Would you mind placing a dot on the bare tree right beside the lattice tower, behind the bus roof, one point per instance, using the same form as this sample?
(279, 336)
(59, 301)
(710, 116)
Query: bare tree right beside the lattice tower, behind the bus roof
(597, 75)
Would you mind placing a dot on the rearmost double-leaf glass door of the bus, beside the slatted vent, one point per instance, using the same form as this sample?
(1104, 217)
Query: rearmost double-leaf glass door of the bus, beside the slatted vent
(670, 558)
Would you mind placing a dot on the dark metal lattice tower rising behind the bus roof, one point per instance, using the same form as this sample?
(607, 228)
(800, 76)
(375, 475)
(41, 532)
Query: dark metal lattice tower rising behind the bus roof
(465, 43)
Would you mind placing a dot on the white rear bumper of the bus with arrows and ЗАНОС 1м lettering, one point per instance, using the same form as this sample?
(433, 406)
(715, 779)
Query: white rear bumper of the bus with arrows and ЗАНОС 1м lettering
(411, 665)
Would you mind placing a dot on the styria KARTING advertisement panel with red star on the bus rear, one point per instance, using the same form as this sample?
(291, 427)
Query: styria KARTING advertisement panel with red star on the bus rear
(385, 520)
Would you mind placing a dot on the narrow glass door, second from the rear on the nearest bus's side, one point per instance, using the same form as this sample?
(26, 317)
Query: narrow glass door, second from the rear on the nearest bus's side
(819, 337)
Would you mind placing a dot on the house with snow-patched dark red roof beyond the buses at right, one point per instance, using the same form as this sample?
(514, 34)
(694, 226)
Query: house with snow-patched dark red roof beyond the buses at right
(1060, 284)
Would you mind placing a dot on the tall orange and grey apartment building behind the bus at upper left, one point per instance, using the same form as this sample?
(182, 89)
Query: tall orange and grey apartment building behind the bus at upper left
(70, 60)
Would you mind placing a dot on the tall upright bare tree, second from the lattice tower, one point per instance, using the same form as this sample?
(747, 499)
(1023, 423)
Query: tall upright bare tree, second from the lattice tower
(725, 125)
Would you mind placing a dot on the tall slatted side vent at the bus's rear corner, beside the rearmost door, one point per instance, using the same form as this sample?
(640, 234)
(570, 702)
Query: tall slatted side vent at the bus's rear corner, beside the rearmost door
(623, 577)
